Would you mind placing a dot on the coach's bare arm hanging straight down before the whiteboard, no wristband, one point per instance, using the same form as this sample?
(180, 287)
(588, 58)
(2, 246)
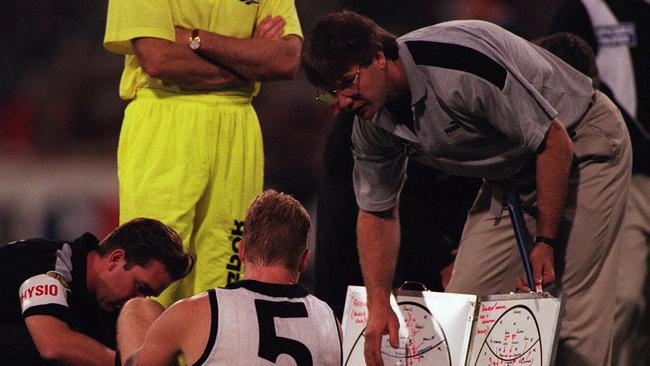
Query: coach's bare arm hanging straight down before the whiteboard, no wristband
(378, 241)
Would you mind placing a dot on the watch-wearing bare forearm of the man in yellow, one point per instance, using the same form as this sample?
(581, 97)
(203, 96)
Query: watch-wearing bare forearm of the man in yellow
(267, 56)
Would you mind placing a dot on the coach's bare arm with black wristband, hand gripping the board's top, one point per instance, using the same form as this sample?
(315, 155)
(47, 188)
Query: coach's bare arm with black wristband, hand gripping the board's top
(553, 168)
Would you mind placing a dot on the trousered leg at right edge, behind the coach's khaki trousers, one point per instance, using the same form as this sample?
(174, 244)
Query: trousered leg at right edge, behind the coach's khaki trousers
(632, 274)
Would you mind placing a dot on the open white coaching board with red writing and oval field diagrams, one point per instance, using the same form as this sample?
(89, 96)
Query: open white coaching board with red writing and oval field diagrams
(456, 329)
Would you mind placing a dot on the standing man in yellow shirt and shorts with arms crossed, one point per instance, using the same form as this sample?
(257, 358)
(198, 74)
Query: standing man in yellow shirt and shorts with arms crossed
(190, 151)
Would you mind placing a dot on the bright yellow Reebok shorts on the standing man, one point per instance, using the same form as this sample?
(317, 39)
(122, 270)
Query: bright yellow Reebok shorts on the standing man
(194, 163)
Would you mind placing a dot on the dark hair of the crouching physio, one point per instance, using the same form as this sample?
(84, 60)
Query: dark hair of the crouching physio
(144, 240)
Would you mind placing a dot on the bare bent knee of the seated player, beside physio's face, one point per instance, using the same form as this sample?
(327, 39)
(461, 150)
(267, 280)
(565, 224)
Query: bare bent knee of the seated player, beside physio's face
(134, 321)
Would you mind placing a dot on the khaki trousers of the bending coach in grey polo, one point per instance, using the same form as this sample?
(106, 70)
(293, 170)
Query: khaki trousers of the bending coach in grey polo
(586, 261)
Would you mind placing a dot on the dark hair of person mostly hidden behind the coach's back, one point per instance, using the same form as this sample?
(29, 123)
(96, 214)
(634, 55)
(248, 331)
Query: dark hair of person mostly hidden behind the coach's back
(573, 50)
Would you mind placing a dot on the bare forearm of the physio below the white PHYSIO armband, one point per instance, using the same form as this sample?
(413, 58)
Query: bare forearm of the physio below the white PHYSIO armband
(56, 342)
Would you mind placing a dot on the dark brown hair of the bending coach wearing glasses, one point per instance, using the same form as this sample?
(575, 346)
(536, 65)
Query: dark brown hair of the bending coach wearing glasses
(342, 40)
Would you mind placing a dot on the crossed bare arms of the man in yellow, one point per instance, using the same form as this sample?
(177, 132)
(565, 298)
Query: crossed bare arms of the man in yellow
(223, 61)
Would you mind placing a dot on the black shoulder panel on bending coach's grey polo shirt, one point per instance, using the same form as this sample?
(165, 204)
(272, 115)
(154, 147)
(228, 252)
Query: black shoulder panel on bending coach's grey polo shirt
(457, 57)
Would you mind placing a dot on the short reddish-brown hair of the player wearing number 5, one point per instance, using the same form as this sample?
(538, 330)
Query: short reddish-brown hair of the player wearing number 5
(276, 230)
